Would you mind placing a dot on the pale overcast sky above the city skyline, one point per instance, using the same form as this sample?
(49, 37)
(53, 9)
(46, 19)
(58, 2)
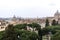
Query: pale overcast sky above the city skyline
(28, 8)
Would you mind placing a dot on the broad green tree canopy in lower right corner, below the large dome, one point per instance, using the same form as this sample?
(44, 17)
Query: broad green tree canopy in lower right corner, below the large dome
(55, 31)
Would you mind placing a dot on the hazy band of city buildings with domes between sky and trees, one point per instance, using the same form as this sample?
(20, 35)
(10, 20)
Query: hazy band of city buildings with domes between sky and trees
(14, 20)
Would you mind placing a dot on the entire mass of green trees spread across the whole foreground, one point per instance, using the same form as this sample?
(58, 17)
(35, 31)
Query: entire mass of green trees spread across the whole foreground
(16, 32)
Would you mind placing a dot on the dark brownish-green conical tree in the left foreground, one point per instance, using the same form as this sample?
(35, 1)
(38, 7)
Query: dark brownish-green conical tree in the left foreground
(10, 34)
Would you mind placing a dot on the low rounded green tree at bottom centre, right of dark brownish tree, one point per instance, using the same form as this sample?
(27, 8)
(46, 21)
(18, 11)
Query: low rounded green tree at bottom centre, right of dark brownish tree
(27, 35)
